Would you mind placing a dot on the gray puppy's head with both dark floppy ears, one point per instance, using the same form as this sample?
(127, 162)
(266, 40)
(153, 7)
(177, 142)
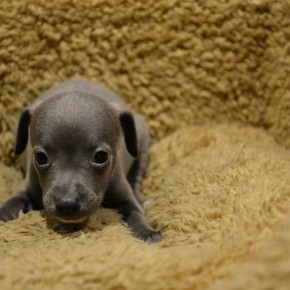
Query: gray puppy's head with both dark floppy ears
(75, 138)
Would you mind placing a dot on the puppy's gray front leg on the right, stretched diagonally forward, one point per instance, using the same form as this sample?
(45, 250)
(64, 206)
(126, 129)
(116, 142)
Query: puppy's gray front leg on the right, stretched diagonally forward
(121, 197)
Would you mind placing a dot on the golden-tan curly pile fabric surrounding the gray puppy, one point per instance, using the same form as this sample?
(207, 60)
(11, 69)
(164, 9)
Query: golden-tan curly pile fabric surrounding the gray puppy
(212, 80)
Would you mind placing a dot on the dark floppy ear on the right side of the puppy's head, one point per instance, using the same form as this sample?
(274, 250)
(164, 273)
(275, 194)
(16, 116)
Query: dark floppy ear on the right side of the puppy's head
(130, 134)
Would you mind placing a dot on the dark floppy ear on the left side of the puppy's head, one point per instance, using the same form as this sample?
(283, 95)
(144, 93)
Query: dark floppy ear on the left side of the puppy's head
(22, 132)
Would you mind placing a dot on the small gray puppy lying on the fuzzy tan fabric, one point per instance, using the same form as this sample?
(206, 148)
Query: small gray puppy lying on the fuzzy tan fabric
(82, 148)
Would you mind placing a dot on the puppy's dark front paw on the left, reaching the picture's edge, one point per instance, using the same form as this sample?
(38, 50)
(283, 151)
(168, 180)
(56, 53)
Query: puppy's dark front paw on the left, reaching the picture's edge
(18, 202)
